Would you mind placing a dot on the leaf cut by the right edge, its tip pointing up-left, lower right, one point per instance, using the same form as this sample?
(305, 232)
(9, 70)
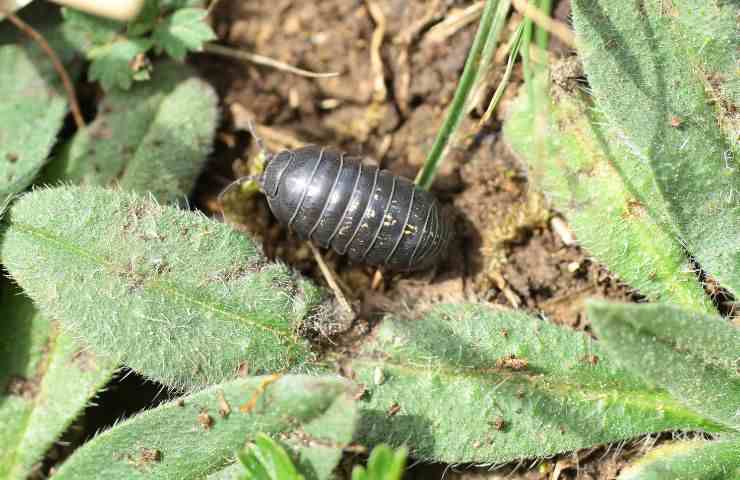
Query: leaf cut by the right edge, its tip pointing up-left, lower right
(693, 356)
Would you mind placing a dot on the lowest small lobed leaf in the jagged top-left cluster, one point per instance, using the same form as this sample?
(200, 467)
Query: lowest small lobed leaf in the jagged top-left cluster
(112, 63)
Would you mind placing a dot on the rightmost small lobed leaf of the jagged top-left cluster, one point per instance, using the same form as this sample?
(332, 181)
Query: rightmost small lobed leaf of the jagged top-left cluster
(183, 31)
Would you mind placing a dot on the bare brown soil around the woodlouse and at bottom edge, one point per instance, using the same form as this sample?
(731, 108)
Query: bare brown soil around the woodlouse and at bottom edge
(510, 249)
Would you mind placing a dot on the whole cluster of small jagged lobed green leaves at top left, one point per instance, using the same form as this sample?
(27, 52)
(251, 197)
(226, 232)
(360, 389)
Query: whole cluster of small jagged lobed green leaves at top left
(116, 49)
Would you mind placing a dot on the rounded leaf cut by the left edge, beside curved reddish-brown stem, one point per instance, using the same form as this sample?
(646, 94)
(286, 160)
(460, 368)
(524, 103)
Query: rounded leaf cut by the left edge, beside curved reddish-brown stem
(32, 107)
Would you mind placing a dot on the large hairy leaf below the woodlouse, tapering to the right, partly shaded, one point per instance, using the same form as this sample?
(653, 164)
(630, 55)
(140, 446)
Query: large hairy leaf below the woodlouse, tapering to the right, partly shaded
(467, 383)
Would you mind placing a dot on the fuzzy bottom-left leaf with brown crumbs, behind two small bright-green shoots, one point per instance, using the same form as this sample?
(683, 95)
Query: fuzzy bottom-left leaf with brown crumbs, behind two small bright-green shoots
(199, 435)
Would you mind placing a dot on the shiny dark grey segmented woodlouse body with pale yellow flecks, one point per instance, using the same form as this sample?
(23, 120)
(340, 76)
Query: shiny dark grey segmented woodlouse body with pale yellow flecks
(369, 214)
